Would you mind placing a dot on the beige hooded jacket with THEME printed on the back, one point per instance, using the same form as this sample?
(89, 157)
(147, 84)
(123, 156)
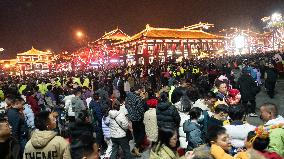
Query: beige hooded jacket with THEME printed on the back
(45, 144)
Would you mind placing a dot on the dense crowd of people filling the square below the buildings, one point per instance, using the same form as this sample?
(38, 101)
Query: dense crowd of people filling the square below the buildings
(194, 109)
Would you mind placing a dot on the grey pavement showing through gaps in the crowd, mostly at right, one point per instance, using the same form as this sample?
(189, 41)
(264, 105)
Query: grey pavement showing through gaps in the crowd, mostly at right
(261, 98)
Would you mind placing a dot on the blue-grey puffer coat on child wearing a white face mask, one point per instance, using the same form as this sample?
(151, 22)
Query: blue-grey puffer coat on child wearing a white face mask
(194, 135)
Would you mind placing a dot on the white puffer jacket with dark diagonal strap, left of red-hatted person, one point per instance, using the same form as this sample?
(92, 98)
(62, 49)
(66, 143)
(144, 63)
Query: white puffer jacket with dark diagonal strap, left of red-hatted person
(117, 117)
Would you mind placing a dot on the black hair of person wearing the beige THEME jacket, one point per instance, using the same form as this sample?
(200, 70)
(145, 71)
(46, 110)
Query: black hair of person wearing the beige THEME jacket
(41, 120)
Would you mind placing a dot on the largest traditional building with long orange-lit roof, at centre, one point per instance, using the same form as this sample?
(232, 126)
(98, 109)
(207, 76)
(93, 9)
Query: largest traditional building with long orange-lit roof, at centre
(162, 44)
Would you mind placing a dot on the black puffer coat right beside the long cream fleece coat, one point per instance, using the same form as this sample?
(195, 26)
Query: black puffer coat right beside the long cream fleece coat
(167, 115)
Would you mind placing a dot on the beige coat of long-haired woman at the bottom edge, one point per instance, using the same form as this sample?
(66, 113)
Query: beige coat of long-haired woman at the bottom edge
(163, 152)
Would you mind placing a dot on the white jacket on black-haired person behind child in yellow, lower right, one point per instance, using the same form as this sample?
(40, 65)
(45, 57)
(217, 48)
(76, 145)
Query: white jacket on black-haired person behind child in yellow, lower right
(238, 133)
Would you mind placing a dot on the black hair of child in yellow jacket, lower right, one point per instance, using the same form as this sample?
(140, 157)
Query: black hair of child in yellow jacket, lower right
(214, 132)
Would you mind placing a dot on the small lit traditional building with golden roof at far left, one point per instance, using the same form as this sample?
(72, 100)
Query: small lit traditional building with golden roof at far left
(34, 60)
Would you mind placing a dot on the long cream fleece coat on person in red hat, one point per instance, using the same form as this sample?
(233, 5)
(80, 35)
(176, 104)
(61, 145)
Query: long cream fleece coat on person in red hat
(150, 122)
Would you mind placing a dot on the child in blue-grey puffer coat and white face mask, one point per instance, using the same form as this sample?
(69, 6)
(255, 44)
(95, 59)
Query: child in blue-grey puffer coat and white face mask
(193, 130)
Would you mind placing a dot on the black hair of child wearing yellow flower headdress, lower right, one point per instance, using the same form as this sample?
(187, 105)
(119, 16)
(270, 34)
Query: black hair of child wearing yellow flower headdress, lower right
(259, 144)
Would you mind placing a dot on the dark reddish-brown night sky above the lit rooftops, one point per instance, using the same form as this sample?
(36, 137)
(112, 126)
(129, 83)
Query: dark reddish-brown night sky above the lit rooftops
(50, 24)
